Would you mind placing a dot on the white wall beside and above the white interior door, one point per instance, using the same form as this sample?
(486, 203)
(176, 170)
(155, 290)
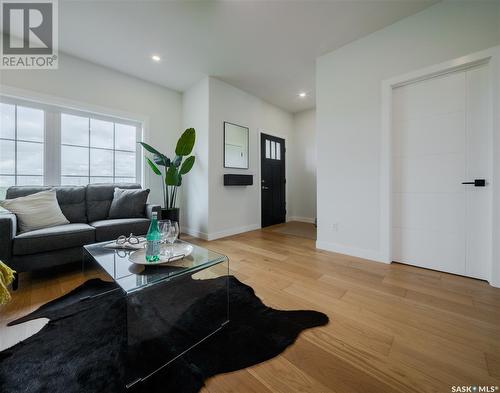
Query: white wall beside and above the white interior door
(348, 89)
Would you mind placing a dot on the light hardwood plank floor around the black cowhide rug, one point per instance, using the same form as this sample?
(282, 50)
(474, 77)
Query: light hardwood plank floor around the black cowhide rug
(393, 328)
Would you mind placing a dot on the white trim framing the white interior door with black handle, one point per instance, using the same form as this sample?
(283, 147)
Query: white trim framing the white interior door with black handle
(489, 56)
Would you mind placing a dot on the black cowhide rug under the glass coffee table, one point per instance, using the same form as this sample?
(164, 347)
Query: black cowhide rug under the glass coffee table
(82, 347)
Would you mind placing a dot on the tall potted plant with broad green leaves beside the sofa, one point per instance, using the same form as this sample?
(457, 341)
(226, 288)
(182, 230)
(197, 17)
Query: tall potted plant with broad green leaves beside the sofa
(171, 171)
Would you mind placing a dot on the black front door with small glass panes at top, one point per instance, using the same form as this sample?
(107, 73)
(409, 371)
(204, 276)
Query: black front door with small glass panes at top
(272, 156)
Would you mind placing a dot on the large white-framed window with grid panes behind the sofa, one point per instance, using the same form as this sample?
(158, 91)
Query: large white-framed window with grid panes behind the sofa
(48, 145)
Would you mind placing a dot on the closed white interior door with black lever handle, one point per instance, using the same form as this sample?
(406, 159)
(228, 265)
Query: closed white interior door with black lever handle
(442, 137)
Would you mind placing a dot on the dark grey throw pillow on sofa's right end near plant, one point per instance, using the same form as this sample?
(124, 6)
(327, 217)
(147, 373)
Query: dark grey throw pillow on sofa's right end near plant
(128, 203)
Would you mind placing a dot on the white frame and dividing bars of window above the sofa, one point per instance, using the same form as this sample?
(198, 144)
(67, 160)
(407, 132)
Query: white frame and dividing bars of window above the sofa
(52, 173)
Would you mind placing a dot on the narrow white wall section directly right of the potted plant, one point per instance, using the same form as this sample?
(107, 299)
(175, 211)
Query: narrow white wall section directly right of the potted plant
(194, 194)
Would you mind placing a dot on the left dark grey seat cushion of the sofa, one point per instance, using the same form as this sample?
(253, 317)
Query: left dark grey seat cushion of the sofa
(53, 238)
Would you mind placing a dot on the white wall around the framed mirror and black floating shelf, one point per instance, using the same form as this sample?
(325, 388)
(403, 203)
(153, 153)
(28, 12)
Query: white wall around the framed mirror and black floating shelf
(237, 209)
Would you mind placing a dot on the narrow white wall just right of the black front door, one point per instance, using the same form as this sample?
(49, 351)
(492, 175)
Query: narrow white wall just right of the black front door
(302, 164)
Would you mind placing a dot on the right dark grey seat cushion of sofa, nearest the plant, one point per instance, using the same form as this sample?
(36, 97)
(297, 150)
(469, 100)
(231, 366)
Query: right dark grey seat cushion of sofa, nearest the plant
(111, 229)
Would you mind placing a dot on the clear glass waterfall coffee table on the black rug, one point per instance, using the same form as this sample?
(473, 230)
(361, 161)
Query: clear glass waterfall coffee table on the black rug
(170, 308)
